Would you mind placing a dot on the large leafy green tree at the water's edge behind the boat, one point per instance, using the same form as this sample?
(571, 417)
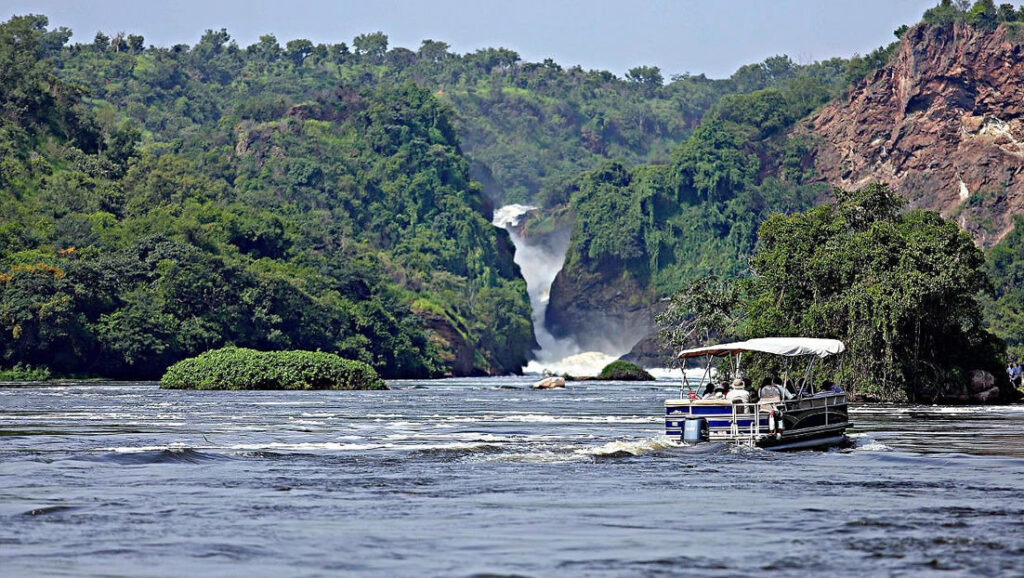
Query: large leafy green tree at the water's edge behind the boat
(900, 288)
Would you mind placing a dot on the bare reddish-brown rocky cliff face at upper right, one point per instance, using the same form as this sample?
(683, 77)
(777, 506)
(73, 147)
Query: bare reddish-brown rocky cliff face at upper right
(944, 123)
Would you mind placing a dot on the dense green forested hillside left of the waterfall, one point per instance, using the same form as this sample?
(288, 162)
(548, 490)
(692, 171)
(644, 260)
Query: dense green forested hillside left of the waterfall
(139, 233)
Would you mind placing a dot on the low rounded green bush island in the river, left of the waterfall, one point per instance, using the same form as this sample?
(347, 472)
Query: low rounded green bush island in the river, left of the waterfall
(234, 368)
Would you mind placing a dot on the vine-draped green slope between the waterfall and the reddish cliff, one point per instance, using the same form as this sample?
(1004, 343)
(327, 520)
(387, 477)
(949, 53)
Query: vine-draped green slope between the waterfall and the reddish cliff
(664, 225)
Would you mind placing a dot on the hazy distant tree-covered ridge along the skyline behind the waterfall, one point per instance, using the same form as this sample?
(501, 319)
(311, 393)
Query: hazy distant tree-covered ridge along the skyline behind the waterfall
(528, 128)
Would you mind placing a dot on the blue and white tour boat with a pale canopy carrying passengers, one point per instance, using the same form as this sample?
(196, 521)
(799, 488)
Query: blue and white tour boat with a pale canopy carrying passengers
(791, 415)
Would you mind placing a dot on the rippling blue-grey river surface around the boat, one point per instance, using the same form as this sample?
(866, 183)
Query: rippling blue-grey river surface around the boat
(485, 477)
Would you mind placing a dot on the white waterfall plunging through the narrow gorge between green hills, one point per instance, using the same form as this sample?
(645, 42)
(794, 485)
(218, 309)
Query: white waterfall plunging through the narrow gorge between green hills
(539, 265)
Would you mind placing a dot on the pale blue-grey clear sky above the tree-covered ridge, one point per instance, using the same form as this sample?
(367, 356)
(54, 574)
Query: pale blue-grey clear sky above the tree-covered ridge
(713, 37)
